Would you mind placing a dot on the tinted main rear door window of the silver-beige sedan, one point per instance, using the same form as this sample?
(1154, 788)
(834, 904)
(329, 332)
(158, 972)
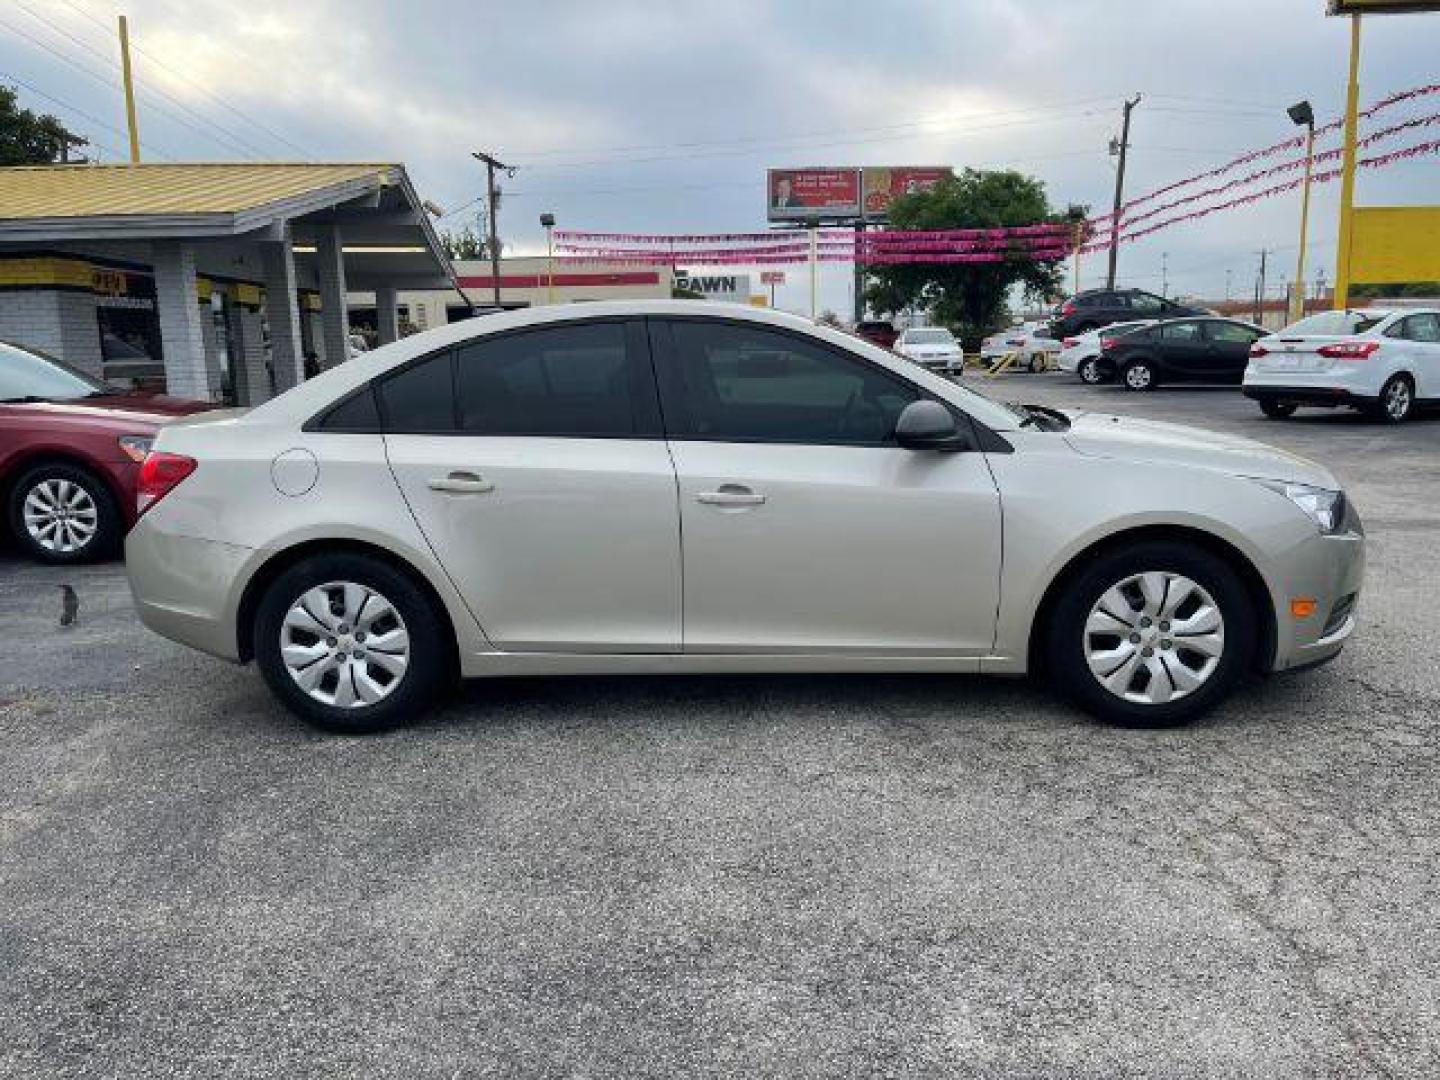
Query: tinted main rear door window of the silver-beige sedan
(559, 381)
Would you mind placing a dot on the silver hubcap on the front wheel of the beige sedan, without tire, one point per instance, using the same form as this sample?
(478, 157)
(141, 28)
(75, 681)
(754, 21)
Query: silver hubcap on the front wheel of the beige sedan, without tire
(1154, 639)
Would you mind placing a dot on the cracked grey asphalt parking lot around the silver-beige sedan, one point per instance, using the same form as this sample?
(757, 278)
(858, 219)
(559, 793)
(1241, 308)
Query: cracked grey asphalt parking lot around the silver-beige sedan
(780, 878)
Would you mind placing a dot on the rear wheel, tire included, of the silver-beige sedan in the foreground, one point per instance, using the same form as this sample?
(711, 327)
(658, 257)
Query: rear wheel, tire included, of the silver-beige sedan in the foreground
(351, 644)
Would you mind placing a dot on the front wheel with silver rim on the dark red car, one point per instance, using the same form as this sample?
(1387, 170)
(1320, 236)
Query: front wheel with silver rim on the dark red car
(66, 515)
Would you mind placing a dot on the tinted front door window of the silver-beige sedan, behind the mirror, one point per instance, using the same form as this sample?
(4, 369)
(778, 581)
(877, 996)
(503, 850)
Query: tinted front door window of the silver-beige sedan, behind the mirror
(750, 384)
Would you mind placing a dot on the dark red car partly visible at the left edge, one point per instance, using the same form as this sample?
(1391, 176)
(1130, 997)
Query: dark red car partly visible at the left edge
(70, 456)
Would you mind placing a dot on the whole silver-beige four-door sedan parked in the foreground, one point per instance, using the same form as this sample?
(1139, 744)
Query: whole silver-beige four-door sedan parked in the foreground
(689, 487)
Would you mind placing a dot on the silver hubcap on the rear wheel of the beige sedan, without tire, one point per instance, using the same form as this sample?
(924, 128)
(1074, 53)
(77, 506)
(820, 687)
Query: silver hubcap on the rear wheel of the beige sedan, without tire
(345, 644)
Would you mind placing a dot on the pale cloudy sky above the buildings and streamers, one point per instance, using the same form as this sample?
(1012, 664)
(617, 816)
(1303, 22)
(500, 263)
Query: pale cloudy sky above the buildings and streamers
(660, 116)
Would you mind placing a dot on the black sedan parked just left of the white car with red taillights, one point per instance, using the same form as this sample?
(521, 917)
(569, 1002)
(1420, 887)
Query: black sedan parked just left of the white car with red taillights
(1206, 351)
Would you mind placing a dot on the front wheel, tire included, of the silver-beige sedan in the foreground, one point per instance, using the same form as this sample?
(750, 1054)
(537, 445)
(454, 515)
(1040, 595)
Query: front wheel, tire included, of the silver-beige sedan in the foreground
(1153, 634)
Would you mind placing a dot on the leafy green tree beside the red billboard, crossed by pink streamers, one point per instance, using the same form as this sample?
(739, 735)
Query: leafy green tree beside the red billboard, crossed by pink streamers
(971, 297)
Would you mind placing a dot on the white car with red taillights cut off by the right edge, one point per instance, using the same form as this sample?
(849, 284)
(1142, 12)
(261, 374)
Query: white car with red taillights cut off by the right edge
(1386, 364)
